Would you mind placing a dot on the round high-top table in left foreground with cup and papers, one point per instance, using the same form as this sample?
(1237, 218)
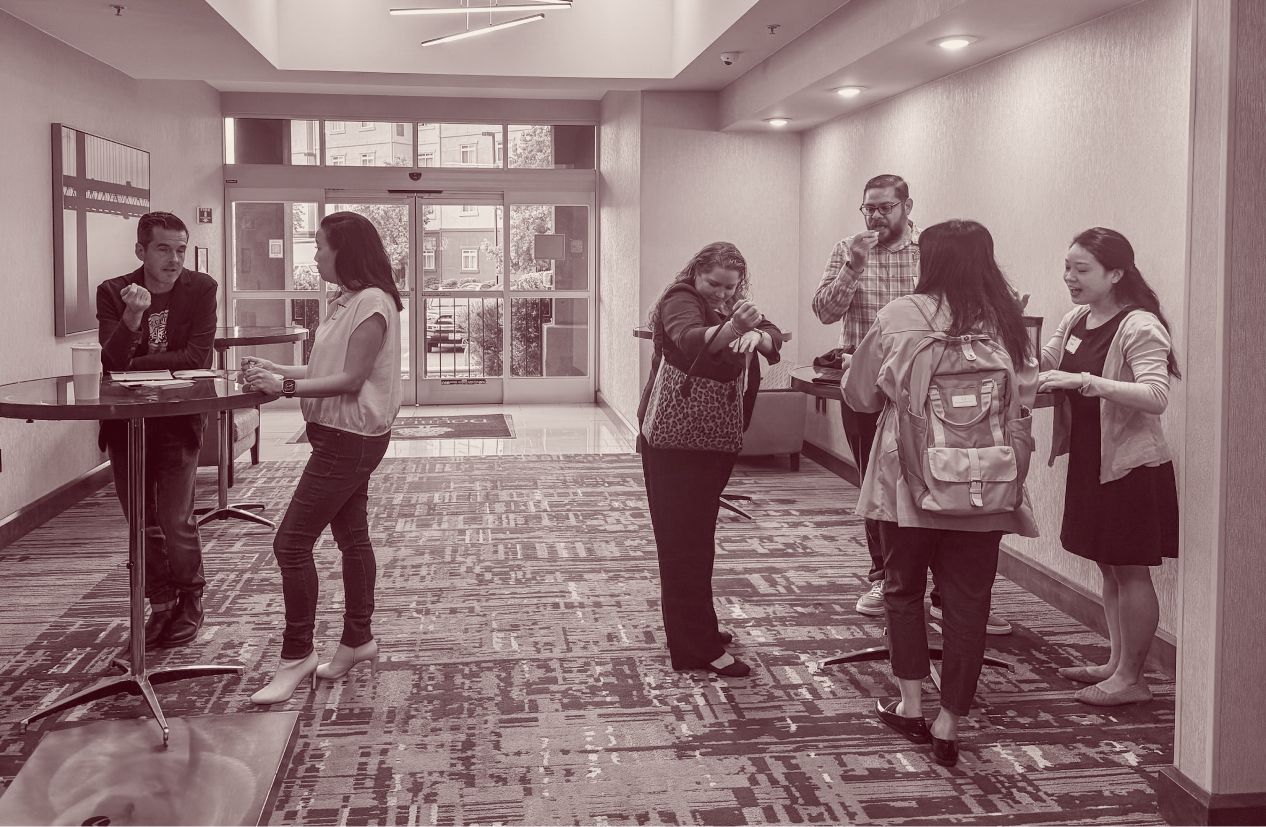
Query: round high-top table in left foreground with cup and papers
(54, 400)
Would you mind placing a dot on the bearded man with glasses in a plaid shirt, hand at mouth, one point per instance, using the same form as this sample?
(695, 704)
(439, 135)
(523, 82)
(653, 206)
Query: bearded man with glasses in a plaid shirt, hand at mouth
(865, 273)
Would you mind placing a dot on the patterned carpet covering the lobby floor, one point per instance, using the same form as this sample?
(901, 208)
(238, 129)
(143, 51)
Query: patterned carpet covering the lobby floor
(525, 678)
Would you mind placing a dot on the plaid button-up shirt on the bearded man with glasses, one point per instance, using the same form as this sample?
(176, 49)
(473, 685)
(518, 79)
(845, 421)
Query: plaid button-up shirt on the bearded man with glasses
(855, 300)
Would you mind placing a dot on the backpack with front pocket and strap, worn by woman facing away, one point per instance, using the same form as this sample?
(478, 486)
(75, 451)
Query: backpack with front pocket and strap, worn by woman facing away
(964, 440)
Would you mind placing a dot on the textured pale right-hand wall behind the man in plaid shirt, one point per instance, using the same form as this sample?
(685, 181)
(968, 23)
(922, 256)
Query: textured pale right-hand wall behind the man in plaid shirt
(1088, 127)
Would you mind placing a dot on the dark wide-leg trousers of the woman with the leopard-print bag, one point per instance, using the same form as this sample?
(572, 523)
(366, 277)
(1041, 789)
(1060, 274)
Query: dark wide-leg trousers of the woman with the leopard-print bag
(684, 491)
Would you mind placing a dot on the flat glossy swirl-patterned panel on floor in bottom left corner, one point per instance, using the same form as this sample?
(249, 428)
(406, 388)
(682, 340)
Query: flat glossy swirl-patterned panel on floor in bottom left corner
(218, 771)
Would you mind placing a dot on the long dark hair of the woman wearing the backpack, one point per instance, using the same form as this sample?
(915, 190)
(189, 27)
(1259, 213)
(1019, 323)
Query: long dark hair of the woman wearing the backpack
(956, 265)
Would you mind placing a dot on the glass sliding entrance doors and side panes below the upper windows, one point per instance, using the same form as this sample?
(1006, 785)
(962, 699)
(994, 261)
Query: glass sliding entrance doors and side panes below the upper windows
(498, 291)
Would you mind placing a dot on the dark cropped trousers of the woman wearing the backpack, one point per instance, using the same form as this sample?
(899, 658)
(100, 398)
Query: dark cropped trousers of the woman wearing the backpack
(964, 564)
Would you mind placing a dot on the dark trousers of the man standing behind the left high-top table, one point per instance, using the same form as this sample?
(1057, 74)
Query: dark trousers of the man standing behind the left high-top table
(174, 552)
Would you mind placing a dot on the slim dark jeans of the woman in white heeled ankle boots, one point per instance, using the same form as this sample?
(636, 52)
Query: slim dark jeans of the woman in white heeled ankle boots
(334, 491)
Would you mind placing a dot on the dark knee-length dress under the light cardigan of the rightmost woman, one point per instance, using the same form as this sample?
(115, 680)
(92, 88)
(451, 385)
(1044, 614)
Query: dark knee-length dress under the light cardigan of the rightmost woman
(1129, 522)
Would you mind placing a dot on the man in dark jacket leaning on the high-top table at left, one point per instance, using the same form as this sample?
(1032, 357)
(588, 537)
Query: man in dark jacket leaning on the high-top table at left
(163, 317)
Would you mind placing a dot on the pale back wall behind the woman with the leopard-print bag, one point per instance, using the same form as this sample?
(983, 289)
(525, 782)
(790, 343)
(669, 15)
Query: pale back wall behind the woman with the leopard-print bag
(692, 186)
